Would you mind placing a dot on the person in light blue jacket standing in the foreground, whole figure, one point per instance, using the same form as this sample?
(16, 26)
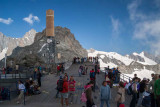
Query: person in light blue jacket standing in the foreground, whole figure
(105, 94)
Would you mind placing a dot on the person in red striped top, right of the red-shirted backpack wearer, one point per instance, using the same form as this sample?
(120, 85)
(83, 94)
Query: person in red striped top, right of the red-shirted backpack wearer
(72, 83)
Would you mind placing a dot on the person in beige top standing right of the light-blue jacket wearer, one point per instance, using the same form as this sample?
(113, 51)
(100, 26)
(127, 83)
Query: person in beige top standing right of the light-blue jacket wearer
(120, 97)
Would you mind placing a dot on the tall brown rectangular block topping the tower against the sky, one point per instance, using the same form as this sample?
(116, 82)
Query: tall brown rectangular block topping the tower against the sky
(49, 22)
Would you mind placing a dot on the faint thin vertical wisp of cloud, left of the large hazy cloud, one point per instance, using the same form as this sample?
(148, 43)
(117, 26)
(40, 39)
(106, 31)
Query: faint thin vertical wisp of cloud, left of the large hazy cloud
(115, 25)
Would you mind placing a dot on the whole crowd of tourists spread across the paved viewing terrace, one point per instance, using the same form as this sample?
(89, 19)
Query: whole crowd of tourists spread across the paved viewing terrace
(143, 92)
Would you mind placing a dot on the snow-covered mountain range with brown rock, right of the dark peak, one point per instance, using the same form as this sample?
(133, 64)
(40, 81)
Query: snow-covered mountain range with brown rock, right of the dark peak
(141, 63)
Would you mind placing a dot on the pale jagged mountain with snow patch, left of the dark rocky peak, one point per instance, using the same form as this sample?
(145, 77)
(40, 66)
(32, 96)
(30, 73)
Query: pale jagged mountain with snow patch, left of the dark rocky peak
(7, 44)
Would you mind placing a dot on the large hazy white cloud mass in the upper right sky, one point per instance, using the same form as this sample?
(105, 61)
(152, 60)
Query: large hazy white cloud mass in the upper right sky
(146, 26)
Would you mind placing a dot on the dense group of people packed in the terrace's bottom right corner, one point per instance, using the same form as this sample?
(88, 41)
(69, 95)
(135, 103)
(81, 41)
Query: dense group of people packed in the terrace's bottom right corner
(144, 92)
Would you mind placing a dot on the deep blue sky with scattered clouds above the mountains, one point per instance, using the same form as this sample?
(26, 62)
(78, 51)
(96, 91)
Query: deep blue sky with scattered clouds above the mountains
(122, 26)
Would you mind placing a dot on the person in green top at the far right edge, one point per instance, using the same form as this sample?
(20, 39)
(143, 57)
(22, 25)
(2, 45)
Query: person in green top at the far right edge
(157, 90)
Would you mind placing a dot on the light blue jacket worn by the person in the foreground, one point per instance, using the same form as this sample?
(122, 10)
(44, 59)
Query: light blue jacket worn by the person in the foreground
(105, 93)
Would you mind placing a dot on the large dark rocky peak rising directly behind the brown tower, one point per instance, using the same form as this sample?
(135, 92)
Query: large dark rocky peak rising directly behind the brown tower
(42, 50)
